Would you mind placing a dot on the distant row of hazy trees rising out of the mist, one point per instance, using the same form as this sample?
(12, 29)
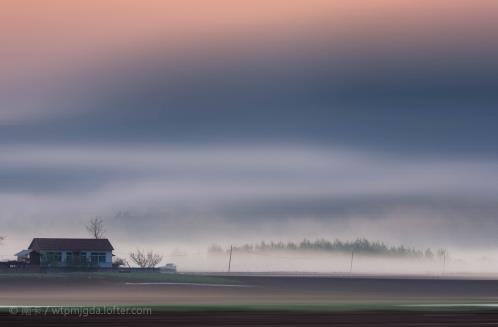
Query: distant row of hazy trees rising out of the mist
(359, 246)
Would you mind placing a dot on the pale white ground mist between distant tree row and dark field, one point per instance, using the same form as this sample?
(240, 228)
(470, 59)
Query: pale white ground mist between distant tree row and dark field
(203, 259)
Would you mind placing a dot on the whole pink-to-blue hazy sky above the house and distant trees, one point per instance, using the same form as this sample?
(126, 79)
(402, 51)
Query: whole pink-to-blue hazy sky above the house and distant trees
(186, 123)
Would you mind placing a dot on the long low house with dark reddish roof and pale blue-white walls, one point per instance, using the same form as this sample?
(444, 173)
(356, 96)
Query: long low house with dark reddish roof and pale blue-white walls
(68, 252)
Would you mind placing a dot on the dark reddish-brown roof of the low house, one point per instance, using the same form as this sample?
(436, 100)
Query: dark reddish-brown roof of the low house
(70, 244)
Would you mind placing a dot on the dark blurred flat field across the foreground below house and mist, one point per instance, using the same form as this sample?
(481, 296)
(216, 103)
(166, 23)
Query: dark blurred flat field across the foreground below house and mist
(254, 300)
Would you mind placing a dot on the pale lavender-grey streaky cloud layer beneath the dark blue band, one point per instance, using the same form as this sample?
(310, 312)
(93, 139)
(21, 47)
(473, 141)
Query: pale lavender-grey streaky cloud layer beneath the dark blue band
(214, 193)
